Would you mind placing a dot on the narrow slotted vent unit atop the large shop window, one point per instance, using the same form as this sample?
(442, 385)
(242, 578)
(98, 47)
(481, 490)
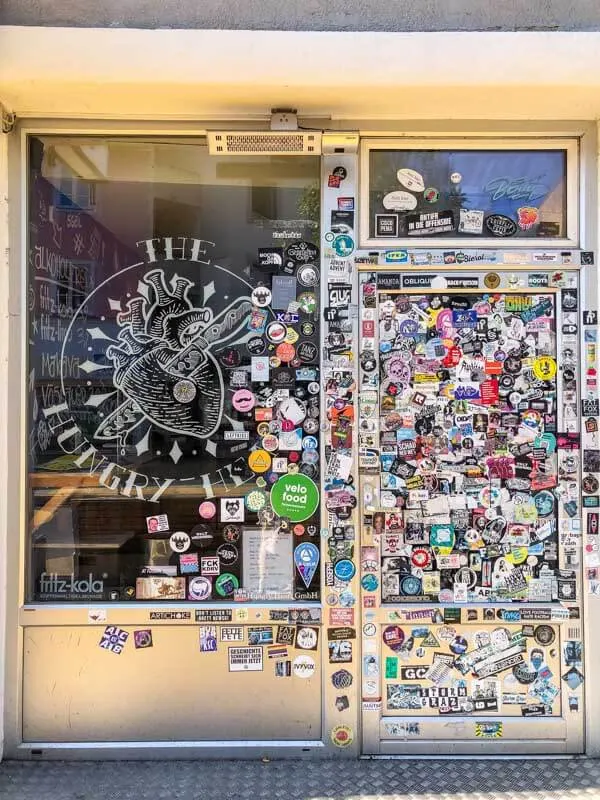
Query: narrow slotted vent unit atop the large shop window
(264, 143)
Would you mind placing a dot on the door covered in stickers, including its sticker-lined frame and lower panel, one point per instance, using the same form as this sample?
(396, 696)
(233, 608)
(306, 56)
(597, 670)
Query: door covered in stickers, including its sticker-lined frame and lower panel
(470, 549)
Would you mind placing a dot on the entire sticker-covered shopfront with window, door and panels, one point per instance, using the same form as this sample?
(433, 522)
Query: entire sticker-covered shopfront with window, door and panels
(301, 442)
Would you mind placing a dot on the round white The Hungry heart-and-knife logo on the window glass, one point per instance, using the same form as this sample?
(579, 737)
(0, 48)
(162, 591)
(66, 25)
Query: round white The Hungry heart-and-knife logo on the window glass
(157, 343)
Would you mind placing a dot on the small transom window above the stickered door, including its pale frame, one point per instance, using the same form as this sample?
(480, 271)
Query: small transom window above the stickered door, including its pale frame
(473, 192)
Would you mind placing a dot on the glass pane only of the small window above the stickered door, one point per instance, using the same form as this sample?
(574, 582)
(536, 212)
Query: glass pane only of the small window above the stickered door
(468, 193)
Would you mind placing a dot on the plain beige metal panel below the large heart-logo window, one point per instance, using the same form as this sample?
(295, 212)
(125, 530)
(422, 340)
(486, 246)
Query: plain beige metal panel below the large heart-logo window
(74, 691)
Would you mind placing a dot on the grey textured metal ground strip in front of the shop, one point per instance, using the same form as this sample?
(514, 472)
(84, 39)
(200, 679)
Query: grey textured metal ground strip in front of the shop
(577, 779)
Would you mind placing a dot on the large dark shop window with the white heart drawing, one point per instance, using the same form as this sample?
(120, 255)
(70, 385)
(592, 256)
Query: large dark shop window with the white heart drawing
(173, 373)
